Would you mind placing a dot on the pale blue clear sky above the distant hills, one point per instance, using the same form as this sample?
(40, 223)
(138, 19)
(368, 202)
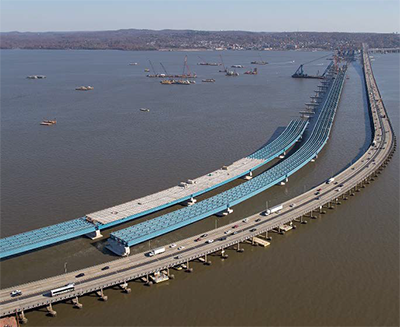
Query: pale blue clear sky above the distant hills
(382, 16)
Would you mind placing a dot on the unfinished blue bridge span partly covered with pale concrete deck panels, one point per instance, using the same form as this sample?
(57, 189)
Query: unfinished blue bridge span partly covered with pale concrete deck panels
(187, 190)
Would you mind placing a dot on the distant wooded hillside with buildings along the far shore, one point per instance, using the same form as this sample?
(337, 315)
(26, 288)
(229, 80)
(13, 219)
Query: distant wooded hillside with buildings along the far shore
(133, 39)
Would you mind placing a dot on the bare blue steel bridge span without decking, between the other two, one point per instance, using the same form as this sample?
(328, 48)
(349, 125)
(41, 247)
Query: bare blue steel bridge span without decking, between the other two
(164, 224)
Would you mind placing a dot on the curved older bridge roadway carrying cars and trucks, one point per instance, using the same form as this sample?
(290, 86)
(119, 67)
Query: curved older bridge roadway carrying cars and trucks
(36, 294)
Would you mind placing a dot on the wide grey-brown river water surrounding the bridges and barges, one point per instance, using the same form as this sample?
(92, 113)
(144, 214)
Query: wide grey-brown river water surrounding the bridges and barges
(341, 269)
